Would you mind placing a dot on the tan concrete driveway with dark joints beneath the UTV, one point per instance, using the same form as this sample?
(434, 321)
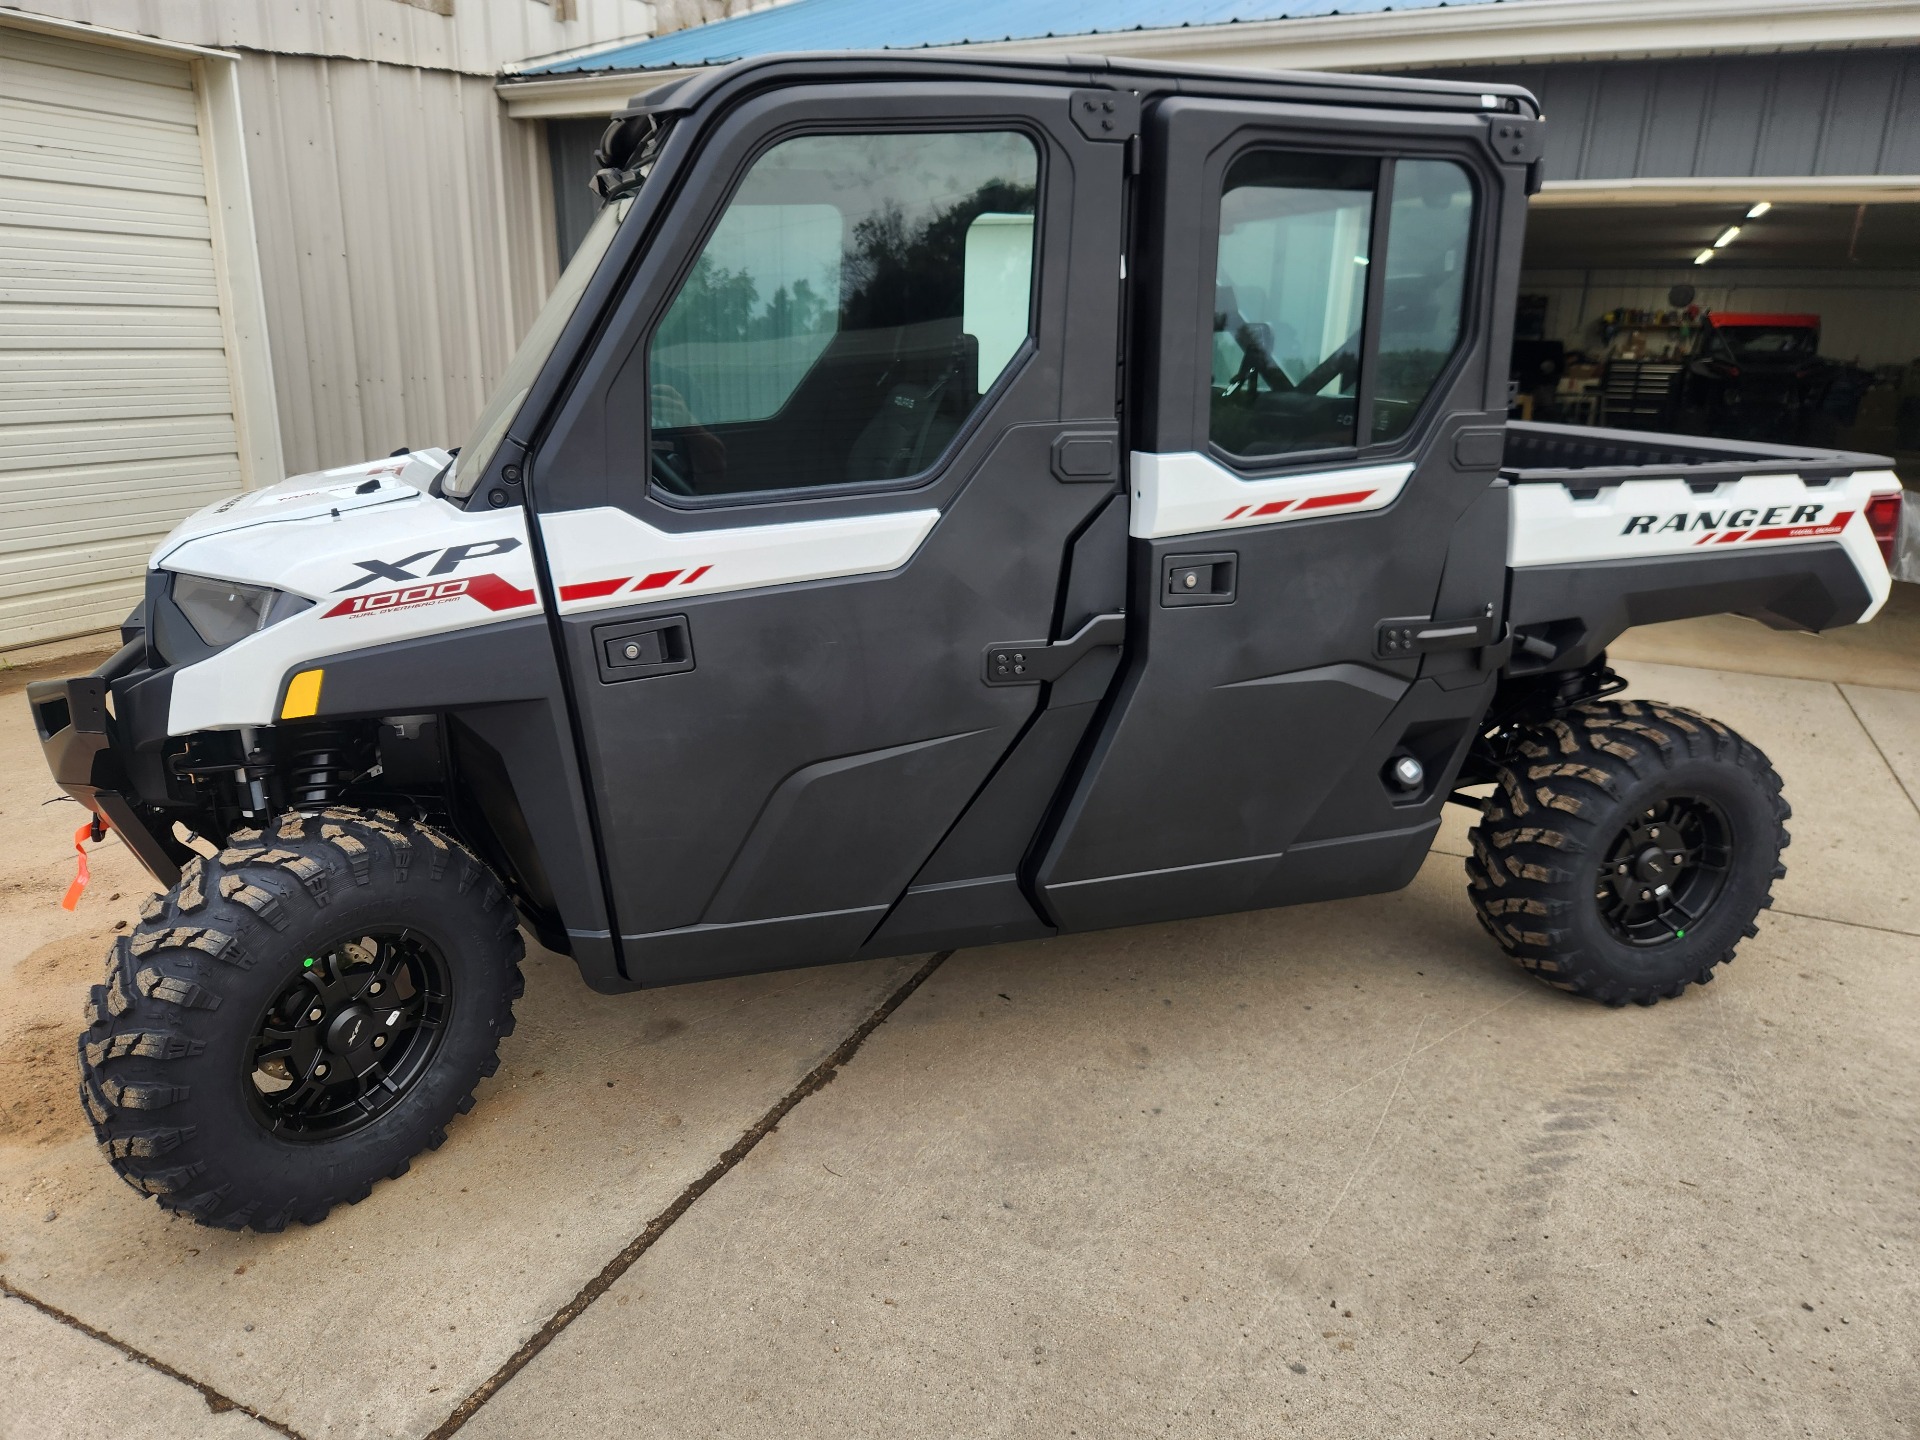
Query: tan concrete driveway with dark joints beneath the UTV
(1333, 1170)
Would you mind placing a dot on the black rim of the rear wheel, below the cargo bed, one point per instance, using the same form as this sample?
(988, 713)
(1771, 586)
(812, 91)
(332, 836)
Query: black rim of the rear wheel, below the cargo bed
(1666, 871)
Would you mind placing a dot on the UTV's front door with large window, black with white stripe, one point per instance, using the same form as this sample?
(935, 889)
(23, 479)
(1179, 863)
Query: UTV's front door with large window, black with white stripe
(853, 429)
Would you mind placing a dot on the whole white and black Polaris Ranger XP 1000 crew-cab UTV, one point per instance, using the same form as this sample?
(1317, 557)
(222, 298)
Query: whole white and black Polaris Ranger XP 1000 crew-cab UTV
(942, 504)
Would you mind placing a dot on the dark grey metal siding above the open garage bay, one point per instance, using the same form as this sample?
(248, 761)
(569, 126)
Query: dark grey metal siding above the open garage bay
(1838, 112)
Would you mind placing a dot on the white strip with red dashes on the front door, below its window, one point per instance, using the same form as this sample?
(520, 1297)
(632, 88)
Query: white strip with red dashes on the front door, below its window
(606, 558)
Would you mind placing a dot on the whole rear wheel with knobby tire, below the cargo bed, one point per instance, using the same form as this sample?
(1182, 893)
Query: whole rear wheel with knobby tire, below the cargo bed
(1629, 850)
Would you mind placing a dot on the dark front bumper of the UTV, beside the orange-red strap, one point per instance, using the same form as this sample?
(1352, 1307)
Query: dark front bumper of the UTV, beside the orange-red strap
(80, 736)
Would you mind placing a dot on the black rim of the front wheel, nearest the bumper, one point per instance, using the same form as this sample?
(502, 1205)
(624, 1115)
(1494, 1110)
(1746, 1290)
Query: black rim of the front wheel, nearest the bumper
(348, 1036)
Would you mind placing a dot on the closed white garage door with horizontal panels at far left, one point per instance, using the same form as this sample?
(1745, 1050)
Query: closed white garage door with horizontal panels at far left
(116, 402)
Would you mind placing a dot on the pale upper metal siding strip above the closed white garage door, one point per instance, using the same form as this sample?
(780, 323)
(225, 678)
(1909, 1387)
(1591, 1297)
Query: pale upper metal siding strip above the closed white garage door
(477, 37)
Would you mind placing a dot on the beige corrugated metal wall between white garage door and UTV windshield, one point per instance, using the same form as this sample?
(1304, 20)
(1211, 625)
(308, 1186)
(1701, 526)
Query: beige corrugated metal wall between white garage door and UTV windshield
(406, 243)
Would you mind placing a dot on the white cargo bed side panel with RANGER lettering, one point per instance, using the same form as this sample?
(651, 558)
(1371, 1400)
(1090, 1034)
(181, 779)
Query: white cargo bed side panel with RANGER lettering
(1641, 519)
